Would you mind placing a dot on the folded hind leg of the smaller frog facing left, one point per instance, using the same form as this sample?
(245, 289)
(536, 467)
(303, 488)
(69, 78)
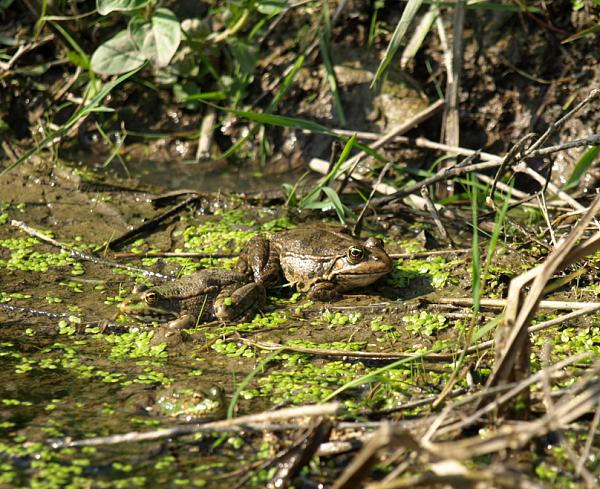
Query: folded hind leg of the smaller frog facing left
(241, 303)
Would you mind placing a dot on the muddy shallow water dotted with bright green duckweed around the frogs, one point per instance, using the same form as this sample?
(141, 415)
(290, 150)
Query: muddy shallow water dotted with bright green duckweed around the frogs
(77, 376)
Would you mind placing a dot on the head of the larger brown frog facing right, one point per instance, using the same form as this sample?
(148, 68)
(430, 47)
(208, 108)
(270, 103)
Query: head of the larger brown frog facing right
(361, 264)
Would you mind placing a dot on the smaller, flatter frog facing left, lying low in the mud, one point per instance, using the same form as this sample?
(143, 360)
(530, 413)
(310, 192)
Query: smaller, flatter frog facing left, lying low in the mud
(205, 295)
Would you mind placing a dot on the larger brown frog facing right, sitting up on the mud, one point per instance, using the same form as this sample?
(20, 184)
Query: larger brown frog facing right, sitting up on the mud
(320, 261)
